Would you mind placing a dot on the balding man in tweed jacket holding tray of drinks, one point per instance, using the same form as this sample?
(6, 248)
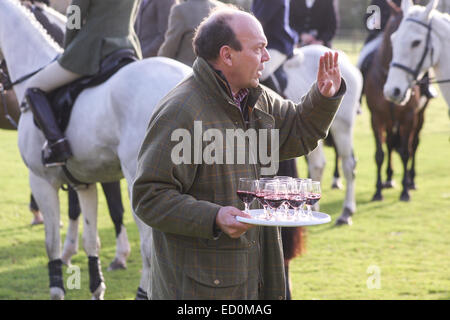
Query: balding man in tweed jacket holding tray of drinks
(199, 249)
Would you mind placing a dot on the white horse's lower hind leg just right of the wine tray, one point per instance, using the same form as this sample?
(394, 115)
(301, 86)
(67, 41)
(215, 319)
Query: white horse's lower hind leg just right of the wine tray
(344, 144)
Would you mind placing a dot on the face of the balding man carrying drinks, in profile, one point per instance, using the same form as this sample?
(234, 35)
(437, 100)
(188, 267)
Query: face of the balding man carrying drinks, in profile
(249, 62)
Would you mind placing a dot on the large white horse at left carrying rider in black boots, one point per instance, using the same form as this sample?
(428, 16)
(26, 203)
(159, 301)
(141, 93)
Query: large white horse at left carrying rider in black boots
(106, 128)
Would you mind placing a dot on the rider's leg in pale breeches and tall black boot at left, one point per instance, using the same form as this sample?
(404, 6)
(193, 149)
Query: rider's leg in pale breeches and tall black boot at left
(56, 149)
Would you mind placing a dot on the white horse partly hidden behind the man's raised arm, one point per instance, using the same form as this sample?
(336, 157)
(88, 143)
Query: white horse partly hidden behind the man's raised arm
(301, 70)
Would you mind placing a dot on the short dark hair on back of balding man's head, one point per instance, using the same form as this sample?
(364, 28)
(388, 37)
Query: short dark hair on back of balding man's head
(212, 34)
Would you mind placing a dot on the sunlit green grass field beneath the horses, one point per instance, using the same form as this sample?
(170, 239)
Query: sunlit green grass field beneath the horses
(394, 250)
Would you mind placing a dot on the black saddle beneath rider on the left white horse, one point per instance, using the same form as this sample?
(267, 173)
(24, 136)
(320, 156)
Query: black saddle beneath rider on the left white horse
(63, 98)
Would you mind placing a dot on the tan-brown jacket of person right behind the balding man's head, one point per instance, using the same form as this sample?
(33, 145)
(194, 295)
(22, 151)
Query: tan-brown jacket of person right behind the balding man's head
(184, 18)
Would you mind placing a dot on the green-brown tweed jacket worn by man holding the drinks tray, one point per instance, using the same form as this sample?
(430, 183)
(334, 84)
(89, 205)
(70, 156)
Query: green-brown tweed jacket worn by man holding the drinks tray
(180, 201)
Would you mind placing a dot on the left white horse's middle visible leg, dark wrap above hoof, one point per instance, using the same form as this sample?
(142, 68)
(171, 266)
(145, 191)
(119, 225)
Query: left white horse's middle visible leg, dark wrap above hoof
(91, 243)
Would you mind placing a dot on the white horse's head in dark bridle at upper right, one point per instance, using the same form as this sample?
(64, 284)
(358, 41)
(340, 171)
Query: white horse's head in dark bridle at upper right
(414, 50)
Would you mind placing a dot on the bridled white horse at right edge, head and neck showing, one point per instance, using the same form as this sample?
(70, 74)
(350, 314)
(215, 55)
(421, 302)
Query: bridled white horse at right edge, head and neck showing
(421, 42)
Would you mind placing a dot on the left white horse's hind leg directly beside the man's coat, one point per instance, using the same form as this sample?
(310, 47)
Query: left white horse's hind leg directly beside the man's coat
(145, 232)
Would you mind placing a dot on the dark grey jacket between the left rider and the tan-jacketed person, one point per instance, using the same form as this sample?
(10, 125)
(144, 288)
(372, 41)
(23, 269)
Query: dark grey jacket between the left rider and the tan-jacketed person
(151, 25)
